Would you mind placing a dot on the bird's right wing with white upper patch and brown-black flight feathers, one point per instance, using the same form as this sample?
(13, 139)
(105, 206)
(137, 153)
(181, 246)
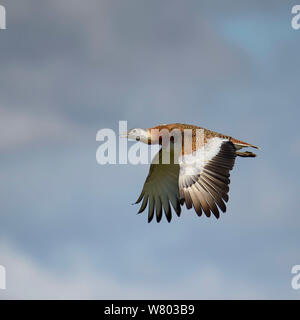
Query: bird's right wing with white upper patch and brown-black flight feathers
(204, 176)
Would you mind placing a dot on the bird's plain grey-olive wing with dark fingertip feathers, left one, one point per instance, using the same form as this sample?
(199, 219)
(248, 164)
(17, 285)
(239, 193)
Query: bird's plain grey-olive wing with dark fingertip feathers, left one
(161, 189)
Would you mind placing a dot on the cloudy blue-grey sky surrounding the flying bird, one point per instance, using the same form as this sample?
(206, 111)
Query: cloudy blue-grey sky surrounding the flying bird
(70, 68)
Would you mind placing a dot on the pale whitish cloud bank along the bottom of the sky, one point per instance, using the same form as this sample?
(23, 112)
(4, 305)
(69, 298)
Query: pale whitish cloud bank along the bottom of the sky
(26, 279)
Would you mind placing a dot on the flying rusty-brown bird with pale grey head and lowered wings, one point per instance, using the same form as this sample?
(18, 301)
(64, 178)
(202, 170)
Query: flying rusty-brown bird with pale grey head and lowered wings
(197, 174)
